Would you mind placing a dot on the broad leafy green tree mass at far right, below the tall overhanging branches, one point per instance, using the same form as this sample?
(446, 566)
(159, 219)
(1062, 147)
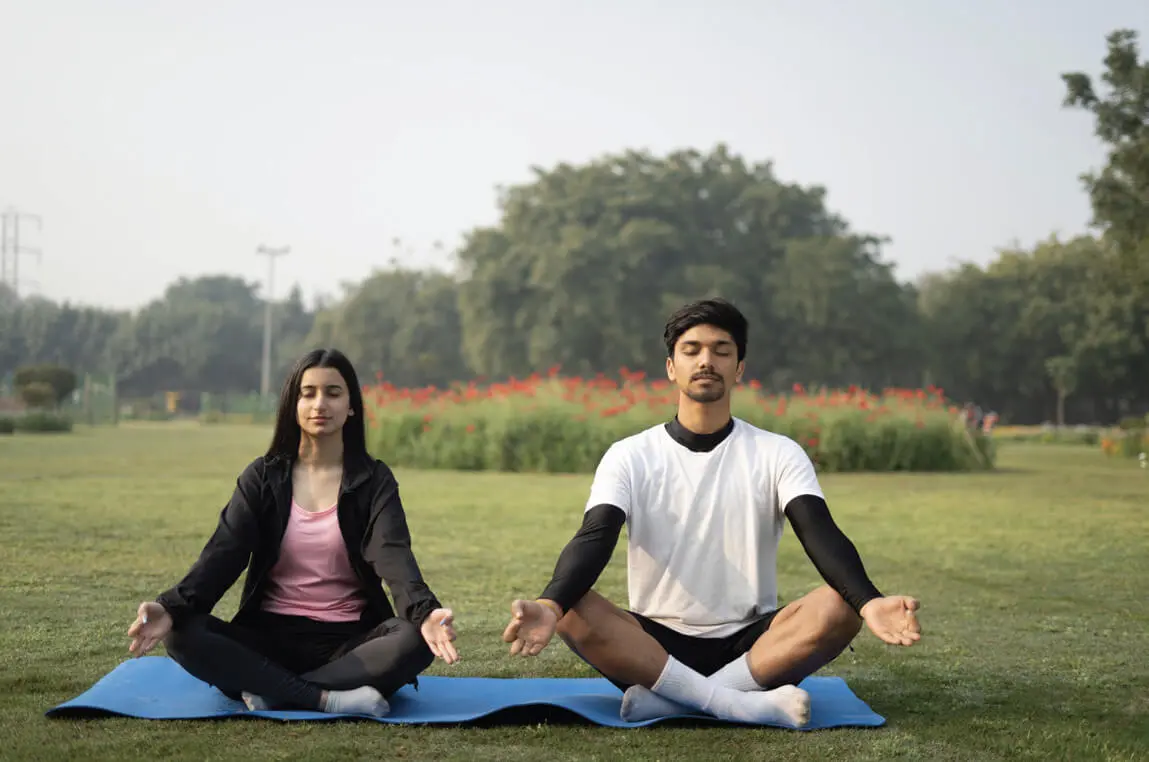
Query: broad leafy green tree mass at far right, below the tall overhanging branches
(993, 329)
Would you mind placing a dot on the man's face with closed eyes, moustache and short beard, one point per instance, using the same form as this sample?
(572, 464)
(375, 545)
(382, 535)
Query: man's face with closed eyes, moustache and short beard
(705, 366)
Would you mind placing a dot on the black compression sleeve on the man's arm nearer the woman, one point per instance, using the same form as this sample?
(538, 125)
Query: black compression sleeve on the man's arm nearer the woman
(585, 557)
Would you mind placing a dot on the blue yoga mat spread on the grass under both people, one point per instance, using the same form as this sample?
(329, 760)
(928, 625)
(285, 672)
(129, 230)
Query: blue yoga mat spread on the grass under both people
(156, 688)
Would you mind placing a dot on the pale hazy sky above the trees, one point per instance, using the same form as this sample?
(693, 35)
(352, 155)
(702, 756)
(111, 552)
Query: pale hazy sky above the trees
(158, 140)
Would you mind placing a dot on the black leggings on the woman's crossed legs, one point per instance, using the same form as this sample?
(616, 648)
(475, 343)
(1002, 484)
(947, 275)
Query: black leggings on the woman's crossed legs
(289, 661)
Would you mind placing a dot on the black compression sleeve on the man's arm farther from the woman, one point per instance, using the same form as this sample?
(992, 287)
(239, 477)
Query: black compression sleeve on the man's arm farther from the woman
(832, 553)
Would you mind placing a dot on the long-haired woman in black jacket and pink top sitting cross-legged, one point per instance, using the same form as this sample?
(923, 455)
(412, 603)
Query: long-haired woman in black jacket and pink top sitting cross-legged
(322, 525)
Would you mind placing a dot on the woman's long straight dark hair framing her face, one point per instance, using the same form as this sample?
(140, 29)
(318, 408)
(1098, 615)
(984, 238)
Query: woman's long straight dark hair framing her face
(288, 435)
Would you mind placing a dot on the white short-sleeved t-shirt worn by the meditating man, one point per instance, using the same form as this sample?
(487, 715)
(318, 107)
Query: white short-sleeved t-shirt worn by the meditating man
(704, 527)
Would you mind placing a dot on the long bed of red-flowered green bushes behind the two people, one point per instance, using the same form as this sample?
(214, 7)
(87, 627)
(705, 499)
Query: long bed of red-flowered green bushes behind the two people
(566, 426)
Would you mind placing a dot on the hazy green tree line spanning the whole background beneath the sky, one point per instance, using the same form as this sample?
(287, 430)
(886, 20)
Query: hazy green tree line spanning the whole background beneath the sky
(588, 261)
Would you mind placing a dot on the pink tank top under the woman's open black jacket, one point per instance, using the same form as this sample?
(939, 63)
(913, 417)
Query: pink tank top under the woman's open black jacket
(314, 576)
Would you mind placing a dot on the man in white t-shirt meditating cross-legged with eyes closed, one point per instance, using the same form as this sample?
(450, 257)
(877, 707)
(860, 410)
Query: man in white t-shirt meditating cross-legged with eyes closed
(705, 499)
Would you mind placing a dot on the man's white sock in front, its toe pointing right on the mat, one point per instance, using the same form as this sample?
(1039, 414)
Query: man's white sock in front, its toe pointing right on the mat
(785, 706)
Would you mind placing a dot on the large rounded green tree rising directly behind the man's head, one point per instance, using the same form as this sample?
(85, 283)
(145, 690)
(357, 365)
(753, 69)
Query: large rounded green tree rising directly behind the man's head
(588, 261)
